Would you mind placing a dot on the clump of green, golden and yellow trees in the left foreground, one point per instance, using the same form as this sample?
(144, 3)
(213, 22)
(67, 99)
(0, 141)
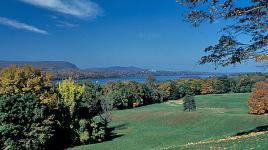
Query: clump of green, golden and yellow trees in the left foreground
(36, 115)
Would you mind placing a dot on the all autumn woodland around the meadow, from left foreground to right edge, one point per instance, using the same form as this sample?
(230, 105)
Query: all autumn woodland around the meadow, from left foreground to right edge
(36, 114)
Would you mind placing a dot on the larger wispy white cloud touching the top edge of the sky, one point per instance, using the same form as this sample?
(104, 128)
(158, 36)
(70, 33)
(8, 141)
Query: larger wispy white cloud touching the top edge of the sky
(77, 8)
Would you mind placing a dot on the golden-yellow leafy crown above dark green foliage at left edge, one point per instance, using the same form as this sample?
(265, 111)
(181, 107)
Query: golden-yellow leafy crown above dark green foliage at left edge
(19, 80)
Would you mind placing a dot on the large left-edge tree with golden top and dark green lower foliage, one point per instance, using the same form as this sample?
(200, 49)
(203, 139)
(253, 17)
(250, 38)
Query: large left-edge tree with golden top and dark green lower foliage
(26, 108)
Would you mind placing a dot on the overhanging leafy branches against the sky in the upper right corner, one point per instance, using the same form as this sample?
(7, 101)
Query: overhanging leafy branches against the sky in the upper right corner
(249, 20)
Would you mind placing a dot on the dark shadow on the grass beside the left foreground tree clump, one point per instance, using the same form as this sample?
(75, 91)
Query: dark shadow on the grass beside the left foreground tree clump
(110, 132)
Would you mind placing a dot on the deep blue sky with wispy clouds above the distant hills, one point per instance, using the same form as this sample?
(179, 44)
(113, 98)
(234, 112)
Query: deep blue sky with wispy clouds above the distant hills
(101, 33)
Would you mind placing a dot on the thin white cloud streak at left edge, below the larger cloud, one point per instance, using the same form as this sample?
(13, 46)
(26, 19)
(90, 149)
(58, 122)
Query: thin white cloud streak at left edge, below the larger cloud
(19, 25)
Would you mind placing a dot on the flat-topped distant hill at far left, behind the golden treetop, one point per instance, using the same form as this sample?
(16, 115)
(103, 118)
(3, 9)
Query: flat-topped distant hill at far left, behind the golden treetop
(44, 65)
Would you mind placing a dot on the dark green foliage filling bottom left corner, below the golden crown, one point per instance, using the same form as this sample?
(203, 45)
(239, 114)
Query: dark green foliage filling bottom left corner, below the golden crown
(25, 123)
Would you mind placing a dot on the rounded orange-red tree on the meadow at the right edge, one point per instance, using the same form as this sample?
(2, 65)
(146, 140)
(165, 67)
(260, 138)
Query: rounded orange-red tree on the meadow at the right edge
(258, 99)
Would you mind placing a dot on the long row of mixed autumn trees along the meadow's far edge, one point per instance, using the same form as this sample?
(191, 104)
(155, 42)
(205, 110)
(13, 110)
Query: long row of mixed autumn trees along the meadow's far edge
(129, 94)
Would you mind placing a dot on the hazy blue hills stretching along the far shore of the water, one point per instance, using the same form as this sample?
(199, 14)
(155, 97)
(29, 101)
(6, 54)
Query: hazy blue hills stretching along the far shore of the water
(64, 69)
